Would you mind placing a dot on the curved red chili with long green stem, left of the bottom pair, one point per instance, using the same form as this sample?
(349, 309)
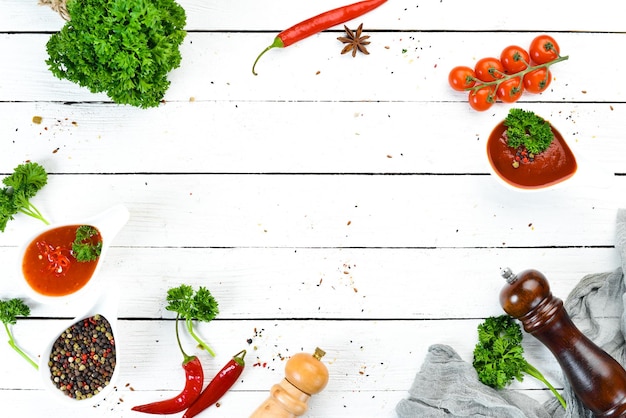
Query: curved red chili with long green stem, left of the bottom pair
(194, 379)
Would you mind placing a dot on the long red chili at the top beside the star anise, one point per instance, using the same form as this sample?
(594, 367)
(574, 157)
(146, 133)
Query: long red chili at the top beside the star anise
(319, 23)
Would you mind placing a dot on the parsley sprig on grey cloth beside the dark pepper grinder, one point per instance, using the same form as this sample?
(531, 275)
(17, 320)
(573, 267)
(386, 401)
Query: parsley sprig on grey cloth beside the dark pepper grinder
(499, 355)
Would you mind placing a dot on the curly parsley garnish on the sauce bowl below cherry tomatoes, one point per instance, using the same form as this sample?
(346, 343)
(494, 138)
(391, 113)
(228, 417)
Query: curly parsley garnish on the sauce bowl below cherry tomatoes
(526, 129)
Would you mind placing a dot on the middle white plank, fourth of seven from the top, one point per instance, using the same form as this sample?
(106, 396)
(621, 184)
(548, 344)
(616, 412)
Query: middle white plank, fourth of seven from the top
(336, 211)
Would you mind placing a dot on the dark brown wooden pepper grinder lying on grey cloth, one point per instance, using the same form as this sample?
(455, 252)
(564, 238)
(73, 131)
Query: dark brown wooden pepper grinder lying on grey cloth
(598, 379)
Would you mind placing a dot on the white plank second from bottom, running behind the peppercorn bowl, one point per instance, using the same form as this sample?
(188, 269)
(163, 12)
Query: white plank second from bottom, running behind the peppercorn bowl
(363, 359)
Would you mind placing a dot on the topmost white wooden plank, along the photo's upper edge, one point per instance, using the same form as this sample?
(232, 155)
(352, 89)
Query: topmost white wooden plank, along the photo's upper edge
(276, 15)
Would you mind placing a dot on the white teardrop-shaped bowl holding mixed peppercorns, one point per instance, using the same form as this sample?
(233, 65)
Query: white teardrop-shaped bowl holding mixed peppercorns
(105, 306)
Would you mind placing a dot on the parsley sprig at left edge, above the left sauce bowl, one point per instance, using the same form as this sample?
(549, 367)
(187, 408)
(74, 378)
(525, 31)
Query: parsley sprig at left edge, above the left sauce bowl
(27, 179)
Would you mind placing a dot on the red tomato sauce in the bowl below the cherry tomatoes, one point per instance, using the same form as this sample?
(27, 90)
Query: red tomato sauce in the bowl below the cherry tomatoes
(552, 166)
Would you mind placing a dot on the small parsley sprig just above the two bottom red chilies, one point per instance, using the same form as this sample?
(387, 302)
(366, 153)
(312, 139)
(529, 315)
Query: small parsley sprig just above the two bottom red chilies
(189, 306)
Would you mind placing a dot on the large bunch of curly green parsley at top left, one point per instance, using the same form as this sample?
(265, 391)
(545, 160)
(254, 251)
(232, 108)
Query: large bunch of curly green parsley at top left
(124, 48)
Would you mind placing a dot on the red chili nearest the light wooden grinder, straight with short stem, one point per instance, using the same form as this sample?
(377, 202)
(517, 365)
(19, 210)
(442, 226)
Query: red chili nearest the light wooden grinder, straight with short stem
(220, 384)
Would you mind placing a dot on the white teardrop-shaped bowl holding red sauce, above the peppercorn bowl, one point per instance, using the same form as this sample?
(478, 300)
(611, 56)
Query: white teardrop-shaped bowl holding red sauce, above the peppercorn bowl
(108, 223)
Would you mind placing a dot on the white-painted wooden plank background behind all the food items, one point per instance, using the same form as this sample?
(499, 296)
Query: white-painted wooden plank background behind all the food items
(329, 201)
